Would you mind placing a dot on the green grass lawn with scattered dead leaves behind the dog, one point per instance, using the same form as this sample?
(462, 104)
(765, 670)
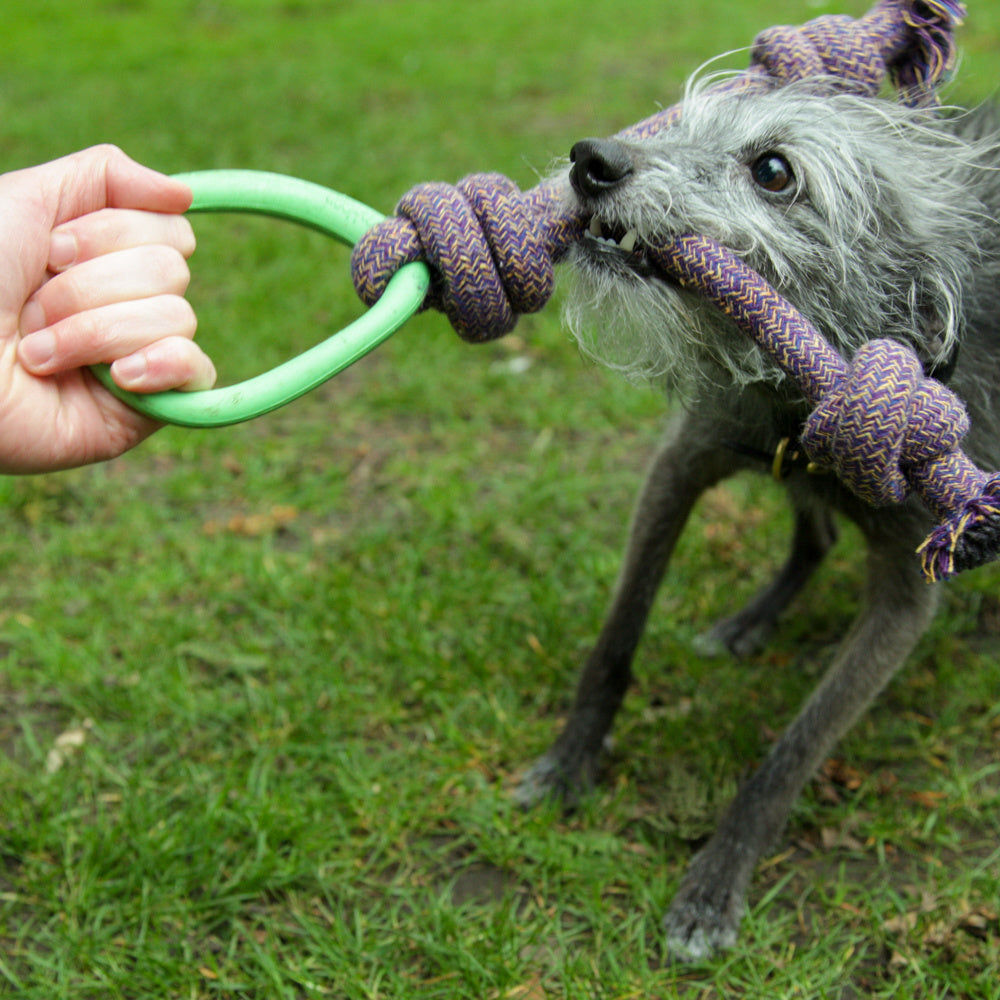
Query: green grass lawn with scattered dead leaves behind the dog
(306, 657)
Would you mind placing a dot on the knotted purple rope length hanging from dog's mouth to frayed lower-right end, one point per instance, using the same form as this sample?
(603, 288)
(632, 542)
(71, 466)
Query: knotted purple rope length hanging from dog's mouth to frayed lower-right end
(877, 422)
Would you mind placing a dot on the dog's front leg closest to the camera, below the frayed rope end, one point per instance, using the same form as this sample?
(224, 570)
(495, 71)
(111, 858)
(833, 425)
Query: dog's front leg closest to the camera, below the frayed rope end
(706, 912)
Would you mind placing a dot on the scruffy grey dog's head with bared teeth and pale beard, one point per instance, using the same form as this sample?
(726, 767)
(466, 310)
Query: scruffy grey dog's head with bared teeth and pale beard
(861, 212)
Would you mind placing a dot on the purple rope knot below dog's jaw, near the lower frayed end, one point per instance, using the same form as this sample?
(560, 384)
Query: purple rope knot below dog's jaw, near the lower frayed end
(883, 422)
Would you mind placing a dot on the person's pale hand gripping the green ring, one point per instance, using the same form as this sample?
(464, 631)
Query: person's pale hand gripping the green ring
(93, 268)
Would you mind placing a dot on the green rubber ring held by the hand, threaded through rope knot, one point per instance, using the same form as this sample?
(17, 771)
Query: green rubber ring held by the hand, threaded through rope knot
(319, 208)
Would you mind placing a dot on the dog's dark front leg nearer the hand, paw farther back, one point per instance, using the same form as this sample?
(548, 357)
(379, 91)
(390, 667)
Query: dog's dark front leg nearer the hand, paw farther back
(687, 463)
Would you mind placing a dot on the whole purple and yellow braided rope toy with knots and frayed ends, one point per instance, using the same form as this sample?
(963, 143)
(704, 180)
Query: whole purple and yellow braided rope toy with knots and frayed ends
(877, 422)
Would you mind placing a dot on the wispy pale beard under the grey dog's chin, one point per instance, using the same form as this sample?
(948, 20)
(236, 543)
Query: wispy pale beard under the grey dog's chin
(648, 328)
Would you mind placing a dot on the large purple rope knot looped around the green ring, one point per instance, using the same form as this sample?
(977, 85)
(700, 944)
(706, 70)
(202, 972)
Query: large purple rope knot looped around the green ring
(482, 240)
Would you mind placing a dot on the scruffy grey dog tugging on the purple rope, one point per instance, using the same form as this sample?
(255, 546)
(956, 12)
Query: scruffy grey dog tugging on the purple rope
(874, 220)
